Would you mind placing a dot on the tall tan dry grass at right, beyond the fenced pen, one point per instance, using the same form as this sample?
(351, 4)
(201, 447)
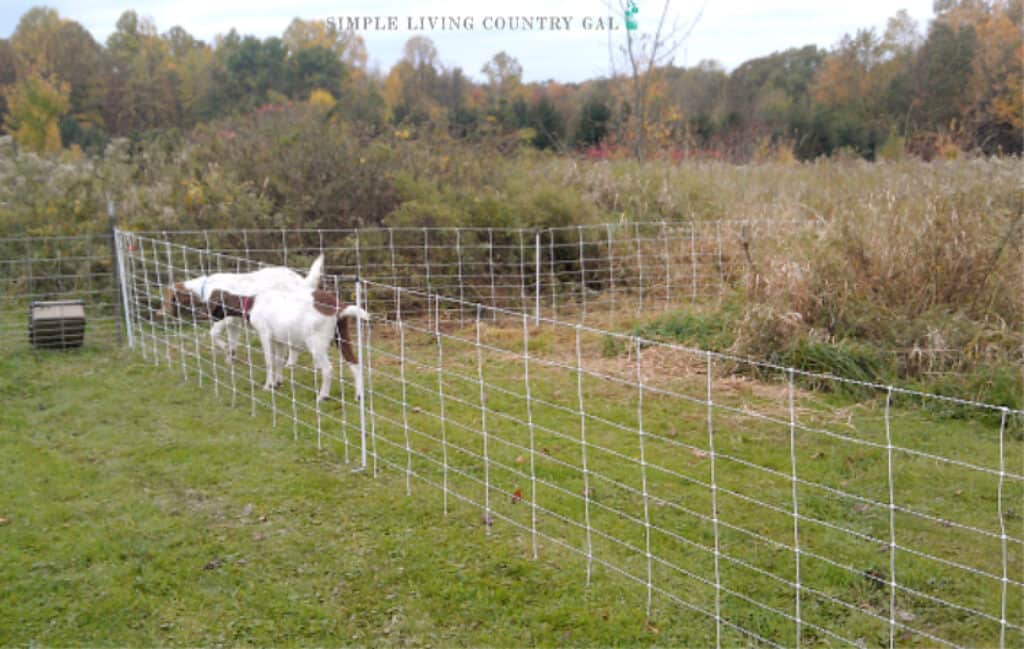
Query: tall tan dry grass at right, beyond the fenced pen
(919, 267)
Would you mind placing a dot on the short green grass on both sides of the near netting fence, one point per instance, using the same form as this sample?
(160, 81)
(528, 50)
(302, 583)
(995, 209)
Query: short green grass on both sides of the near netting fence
(141, 510)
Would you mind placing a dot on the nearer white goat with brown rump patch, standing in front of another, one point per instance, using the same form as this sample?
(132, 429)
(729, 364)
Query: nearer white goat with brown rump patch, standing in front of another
(312, 319)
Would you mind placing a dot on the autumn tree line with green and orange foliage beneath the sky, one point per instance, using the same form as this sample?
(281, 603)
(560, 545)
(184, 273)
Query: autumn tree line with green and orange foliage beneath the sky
(954, 86)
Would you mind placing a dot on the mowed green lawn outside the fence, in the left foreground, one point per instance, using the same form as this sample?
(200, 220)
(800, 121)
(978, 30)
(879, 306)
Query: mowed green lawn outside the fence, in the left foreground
(138, 510)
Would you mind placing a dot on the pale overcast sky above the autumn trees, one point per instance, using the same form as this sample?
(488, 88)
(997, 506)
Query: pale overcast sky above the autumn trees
(730, 31)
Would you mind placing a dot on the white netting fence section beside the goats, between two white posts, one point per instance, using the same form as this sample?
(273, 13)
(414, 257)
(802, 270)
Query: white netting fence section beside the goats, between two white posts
(232, 364)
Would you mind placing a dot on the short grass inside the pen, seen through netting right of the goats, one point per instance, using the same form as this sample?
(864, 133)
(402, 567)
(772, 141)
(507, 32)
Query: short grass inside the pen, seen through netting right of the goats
(753, 536)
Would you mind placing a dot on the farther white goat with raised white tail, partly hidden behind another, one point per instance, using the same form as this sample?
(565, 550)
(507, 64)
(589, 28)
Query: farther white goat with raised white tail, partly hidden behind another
(192, 293)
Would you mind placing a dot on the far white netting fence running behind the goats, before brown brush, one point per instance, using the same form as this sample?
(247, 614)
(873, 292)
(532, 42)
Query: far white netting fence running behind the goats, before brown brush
(566, 273)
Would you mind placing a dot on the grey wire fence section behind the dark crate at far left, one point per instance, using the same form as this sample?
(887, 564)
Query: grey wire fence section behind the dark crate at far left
(44, 270)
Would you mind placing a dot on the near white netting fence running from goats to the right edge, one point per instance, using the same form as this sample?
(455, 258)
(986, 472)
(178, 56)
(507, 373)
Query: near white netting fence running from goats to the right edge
(774, 506)
